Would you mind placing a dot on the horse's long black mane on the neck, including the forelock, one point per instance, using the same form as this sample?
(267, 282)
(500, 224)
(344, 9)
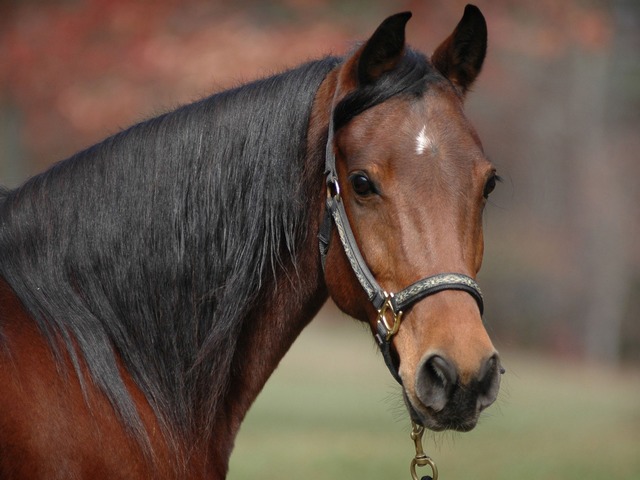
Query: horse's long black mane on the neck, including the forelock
(156, 243)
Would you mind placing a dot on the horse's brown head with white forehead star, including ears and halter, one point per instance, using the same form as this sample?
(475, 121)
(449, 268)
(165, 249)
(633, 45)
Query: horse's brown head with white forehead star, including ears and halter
(408, 170)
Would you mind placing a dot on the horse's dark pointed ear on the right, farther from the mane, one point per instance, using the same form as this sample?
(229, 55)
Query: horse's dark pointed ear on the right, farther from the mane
(460, 56)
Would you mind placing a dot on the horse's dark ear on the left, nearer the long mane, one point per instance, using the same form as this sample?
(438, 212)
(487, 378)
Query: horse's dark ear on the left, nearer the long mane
(383, 50)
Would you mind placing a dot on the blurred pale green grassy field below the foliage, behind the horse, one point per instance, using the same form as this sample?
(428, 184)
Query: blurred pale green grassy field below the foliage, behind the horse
(332, 411)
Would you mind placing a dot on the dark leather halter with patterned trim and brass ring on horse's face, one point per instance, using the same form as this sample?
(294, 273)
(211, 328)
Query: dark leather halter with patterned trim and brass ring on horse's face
(386, 303)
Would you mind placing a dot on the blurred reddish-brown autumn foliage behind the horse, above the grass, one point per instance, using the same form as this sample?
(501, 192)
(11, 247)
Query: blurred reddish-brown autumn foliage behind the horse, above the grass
(556, 106)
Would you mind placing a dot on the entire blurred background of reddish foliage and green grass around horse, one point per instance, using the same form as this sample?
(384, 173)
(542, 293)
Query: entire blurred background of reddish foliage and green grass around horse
(558, 109)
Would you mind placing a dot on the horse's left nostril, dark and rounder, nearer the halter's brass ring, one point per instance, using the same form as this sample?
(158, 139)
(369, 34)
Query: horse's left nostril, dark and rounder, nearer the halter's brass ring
(436, 379)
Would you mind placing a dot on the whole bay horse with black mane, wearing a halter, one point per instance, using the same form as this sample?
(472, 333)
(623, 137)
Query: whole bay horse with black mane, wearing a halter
(150, 284)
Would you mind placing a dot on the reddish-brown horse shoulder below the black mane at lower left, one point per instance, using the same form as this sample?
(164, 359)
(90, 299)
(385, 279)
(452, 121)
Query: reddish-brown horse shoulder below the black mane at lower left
(49, 428)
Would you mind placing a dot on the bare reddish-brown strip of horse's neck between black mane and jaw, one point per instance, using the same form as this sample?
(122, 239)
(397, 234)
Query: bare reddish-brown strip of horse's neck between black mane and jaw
(291, 304)
